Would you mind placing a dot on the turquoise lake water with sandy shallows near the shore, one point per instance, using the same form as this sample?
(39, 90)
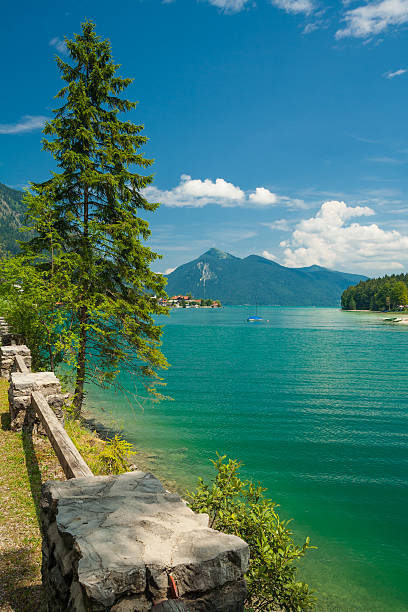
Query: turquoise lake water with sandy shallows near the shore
(314, 402)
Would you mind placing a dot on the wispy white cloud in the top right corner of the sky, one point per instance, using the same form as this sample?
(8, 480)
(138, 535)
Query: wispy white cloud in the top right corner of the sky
(373, 18)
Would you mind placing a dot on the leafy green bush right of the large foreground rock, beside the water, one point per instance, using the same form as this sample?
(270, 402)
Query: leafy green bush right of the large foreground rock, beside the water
(239, 507)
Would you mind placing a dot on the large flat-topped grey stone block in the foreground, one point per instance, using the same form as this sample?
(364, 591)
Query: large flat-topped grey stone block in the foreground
(110, 543)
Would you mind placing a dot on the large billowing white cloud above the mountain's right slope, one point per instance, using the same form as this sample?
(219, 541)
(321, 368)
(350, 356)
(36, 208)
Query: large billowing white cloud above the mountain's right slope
(328, 240)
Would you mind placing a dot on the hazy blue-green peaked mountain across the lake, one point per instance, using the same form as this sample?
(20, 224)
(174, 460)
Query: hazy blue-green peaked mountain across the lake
(232, 280)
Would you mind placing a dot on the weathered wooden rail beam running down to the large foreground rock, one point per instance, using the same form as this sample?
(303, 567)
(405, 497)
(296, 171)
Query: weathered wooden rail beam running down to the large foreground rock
(71, 461)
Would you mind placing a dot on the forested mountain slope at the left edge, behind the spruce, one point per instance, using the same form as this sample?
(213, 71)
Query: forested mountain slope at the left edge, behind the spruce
(12, 212)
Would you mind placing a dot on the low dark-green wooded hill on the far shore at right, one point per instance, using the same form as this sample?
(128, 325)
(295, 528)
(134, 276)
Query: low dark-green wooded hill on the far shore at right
(385, 293)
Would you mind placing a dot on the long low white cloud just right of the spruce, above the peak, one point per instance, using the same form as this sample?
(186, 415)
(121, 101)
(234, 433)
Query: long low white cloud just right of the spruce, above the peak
(197, 193)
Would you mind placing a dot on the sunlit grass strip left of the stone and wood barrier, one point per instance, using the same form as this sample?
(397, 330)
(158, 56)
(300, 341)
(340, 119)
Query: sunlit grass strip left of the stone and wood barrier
(24, 465)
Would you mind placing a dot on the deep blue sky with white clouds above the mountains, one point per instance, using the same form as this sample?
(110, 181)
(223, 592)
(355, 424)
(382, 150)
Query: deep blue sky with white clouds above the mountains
(277, 127)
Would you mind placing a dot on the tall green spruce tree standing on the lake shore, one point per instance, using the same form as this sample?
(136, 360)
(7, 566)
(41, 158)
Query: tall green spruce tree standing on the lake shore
(86, 218)
